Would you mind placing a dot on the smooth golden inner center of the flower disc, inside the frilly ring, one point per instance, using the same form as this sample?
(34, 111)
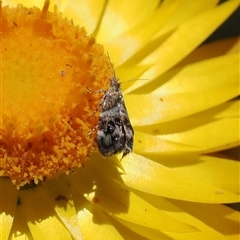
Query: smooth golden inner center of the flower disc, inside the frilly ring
(32, 68)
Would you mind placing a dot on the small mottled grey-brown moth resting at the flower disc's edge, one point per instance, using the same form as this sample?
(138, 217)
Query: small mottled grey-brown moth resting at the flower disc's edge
(115, 132)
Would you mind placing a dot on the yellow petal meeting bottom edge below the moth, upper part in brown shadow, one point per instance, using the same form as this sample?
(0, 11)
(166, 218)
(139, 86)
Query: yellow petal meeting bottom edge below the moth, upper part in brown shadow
(90, 217)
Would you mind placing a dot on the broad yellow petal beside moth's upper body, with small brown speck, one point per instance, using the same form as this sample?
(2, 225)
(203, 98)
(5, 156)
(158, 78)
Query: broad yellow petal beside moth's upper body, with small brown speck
(190, 91)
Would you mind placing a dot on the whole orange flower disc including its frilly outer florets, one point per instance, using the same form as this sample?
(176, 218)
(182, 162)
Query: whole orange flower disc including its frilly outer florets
(46, 111)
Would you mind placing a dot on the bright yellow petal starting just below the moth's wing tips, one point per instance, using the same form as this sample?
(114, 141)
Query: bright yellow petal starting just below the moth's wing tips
(141, 173)
